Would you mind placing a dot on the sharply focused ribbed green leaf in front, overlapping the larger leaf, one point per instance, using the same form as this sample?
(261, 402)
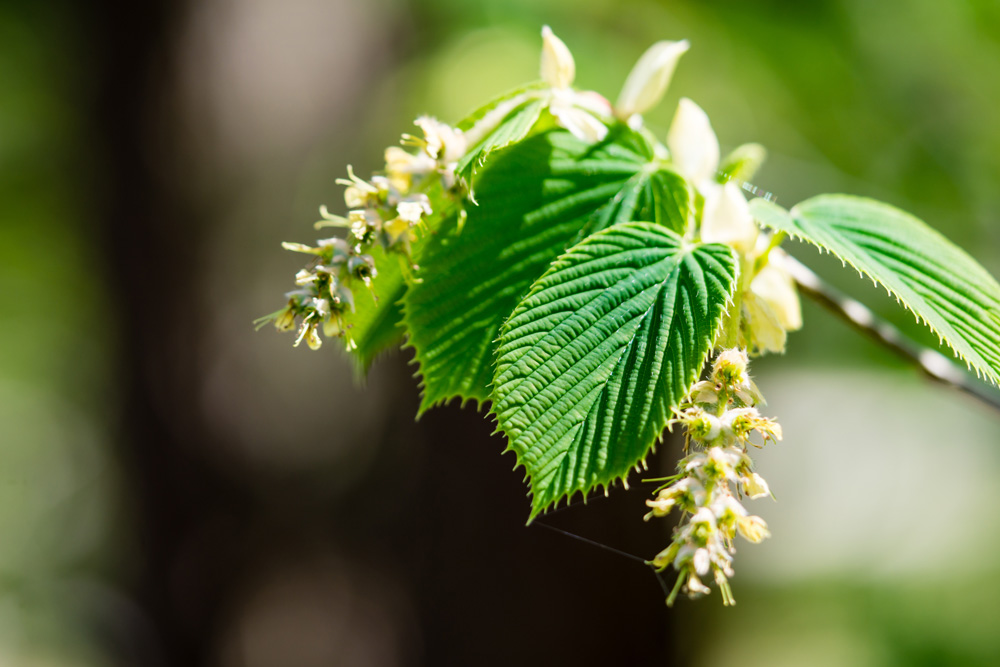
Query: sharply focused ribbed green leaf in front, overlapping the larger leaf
(604, 346)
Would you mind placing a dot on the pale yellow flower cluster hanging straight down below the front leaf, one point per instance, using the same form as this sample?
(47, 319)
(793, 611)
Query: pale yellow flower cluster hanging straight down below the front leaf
(719, 421)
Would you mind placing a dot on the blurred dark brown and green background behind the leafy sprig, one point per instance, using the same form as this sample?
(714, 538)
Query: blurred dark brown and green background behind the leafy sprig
(178, 490)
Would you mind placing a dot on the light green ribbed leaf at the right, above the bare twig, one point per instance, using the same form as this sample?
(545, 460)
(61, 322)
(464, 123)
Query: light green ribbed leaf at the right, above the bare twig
(929, 275)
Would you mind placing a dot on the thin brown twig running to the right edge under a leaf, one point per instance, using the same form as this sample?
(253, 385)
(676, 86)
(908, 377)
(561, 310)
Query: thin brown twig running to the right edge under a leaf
(933, 364)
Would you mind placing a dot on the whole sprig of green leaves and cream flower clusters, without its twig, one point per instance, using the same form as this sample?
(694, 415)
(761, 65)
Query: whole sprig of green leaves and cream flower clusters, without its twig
(573, 292)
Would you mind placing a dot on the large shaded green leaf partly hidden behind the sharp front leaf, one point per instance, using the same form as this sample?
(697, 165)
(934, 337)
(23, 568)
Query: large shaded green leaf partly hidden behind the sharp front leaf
(536, 198)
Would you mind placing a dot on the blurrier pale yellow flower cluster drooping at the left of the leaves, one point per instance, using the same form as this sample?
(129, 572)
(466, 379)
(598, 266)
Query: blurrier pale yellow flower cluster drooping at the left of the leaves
(384, 212)
